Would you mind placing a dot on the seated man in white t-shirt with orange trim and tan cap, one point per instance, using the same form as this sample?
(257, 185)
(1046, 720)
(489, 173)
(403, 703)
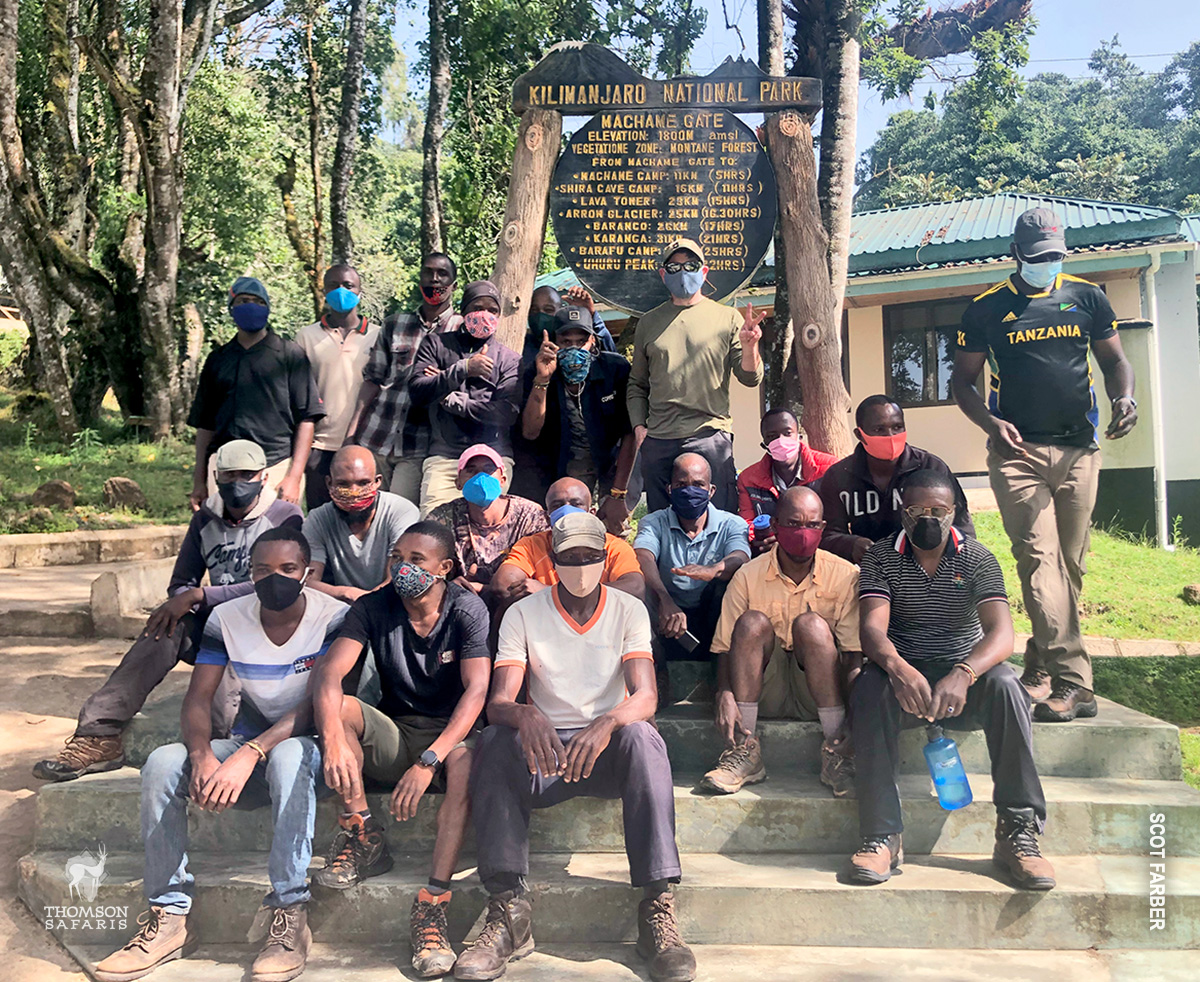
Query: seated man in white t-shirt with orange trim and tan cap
(585, 651)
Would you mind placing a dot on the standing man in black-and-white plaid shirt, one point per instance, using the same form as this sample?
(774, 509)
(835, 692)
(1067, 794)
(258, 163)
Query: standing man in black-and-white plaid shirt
(386, 422)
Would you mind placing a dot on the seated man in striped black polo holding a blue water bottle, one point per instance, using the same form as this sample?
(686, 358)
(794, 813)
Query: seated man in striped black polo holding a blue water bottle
(937, 631)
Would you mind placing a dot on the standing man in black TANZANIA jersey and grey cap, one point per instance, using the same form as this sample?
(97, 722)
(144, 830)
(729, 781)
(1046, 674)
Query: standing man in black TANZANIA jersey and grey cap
(1043, 450)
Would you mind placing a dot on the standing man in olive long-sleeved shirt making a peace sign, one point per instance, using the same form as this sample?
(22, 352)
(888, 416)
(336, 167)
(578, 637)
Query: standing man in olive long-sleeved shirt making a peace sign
(685, 352)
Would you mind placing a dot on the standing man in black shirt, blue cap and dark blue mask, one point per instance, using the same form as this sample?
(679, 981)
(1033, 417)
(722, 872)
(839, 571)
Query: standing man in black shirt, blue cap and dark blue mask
(256, 387)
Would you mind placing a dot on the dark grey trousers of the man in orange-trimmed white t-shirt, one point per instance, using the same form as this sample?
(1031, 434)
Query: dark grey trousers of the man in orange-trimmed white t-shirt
(633, 768)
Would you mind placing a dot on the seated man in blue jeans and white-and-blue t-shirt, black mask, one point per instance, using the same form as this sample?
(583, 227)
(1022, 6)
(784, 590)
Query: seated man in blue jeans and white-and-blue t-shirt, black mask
(269, 642)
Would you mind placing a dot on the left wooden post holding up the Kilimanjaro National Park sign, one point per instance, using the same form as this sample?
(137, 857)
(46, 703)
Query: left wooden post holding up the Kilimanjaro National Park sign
(525, 220)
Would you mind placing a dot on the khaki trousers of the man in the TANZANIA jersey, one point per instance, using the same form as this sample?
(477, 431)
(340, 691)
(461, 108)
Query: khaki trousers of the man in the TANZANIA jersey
(1046, 502)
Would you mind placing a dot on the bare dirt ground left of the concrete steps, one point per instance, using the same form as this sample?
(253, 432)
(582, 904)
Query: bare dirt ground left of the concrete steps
(43, 685)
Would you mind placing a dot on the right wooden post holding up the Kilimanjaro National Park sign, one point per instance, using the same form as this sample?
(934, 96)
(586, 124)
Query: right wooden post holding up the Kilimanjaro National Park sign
(814, 310)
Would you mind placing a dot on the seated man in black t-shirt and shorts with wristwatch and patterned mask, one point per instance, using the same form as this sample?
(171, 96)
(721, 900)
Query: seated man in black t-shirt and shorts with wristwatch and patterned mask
(430, 643)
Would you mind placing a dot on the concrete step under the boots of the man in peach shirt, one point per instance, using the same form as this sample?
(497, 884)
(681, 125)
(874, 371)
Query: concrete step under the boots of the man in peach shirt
(788, 813)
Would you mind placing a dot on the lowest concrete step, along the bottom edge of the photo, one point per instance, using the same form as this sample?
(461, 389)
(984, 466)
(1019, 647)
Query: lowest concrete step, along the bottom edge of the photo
(715, 963)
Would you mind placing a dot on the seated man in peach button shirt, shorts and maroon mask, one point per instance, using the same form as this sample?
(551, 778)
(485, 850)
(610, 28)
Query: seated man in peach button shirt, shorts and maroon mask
(788, 646)
